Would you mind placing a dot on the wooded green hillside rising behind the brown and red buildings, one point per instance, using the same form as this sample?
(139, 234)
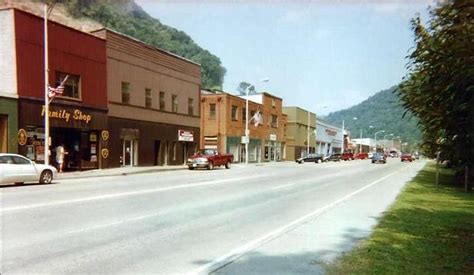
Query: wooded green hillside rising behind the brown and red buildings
(127, 17)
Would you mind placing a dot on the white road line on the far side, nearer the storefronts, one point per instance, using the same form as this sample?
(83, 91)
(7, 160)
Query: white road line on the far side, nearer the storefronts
(126, 194)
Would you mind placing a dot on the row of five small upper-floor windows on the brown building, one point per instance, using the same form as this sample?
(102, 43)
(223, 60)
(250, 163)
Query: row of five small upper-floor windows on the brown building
(162, 102)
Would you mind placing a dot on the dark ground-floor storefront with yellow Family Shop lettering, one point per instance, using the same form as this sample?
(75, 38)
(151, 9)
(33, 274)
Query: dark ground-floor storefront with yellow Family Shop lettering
(81, 131)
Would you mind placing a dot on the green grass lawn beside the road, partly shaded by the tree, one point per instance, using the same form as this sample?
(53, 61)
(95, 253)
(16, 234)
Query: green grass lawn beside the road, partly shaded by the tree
(427, 230)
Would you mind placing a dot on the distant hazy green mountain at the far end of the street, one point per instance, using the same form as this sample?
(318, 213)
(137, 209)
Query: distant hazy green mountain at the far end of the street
(383, 111)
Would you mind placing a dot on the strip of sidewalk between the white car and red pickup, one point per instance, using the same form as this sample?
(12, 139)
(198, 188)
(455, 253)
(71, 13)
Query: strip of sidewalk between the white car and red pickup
(120, 171)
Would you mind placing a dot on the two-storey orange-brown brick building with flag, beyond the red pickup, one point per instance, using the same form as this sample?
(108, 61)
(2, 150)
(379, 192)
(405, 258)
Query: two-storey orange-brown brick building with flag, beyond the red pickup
(223, 125)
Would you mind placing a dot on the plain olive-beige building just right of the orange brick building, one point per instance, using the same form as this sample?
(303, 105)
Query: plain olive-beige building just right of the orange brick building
(301, 126)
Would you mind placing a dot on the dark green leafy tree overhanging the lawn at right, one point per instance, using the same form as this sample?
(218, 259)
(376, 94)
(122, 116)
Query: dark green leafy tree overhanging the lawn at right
(439, 87)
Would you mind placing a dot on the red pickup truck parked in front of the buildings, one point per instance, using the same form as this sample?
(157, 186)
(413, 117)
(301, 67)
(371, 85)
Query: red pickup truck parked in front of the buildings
(209, 158)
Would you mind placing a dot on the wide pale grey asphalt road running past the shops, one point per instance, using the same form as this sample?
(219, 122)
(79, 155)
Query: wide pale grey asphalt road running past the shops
(183, 222)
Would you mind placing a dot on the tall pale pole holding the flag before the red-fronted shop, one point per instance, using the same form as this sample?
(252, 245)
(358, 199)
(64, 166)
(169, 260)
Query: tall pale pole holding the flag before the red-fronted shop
(46, 81)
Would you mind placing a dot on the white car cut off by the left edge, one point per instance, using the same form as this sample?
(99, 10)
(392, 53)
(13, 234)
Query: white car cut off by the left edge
(18, 169)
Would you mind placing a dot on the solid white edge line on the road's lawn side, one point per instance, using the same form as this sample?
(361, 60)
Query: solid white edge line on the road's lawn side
(239, 252)
